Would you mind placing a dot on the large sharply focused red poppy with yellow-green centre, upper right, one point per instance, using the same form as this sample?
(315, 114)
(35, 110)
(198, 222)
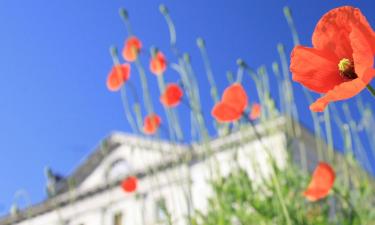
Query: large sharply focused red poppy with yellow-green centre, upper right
(340, 64)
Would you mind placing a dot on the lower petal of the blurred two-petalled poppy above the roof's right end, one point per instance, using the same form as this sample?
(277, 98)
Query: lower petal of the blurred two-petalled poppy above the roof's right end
(223, 113)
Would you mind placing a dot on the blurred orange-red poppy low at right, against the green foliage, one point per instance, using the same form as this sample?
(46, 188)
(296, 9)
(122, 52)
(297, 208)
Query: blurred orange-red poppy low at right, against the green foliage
(321, 182)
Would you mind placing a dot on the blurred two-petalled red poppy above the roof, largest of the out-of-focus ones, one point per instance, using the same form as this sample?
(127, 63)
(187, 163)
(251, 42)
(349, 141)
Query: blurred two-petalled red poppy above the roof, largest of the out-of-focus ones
(232, 104)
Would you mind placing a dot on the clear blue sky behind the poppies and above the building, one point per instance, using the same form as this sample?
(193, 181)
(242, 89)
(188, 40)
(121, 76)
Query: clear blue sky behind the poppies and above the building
(54, 59)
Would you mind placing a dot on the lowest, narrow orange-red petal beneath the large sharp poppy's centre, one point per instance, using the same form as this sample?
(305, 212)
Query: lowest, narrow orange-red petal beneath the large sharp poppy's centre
(343, 91)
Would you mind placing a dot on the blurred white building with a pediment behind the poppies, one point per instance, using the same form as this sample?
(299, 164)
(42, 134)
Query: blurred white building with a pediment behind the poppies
(170, 175)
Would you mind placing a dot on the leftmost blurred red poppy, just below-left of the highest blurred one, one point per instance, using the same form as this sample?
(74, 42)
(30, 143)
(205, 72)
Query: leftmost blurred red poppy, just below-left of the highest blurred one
(118, 76)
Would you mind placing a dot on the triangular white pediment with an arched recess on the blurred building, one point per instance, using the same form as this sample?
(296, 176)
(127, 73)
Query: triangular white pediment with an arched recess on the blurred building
(117, 156)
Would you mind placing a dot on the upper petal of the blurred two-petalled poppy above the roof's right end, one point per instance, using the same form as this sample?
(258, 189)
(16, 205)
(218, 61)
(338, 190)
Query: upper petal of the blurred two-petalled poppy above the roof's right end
(235, 96)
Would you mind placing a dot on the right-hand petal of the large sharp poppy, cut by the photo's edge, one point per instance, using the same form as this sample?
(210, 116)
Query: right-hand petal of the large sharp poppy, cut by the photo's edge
(362, 55)
